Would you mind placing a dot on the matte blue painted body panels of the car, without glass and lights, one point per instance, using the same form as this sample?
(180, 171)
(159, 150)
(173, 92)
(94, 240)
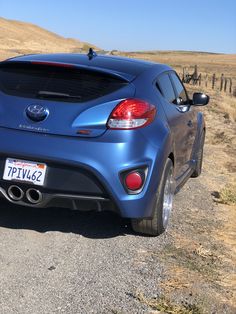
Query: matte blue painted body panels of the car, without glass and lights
(105, 153)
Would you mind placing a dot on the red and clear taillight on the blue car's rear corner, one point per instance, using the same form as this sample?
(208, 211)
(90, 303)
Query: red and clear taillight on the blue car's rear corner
(131, 114)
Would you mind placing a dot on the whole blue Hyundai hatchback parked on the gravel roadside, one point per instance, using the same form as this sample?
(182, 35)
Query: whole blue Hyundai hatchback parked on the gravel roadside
(96, 132)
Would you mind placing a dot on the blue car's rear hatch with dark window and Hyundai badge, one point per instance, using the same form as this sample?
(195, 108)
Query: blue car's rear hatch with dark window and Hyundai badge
(76, 101)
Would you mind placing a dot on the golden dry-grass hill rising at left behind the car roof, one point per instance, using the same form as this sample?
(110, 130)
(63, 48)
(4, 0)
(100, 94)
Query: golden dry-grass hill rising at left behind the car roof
(19, 37)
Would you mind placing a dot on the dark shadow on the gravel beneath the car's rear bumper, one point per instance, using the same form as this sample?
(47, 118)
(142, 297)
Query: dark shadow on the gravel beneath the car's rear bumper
(88, 224)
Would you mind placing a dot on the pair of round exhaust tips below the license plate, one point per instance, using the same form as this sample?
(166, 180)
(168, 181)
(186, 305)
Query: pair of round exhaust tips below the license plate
(16, 194)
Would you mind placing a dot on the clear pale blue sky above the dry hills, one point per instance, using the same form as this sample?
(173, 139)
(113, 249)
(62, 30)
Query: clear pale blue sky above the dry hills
(131, 25)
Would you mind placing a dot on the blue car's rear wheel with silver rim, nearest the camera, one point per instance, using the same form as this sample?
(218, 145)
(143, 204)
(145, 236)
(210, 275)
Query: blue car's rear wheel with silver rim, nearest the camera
(162, 206)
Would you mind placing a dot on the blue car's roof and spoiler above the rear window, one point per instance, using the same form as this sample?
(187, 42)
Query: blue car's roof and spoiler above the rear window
(126, 67)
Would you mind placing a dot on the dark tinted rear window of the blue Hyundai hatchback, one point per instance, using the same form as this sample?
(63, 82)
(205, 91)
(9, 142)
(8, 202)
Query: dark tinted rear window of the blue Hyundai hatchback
(60, 83)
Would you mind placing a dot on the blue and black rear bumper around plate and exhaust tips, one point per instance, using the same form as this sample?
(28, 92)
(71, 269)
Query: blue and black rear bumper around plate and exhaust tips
(85, 172)
